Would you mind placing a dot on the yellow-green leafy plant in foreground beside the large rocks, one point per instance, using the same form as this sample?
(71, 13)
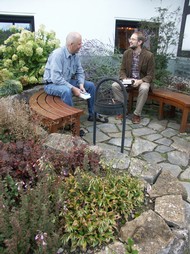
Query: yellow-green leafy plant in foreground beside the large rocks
(94, 206)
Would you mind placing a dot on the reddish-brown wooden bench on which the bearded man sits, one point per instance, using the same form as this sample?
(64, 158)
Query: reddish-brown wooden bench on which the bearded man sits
(164, 96)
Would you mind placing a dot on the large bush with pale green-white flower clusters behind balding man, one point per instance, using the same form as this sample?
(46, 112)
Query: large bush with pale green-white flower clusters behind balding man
(24, 54)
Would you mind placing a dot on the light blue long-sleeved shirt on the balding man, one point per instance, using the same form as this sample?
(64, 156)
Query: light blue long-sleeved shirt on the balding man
(61, 66)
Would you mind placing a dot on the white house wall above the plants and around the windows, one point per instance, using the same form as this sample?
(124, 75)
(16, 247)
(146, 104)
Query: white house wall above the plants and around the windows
(93, 19)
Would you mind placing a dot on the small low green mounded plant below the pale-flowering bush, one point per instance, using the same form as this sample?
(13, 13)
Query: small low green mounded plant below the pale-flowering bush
(10, 87)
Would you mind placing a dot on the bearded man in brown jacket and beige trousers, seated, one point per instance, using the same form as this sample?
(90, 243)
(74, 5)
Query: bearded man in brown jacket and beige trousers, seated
(137, 64)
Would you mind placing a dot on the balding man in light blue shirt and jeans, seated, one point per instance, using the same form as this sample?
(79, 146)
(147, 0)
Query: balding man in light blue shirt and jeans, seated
(64, 75)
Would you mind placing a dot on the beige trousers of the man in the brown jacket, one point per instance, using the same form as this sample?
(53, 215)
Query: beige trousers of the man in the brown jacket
(141, 99)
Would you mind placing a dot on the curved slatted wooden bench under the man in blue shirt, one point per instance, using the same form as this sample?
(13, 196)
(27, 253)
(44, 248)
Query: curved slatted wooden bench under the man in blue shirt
(54, 113)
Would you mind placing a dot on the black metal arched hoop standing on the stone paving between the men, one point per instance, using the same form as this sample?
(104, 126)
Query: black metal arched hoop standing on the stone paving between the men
(106, 104)
